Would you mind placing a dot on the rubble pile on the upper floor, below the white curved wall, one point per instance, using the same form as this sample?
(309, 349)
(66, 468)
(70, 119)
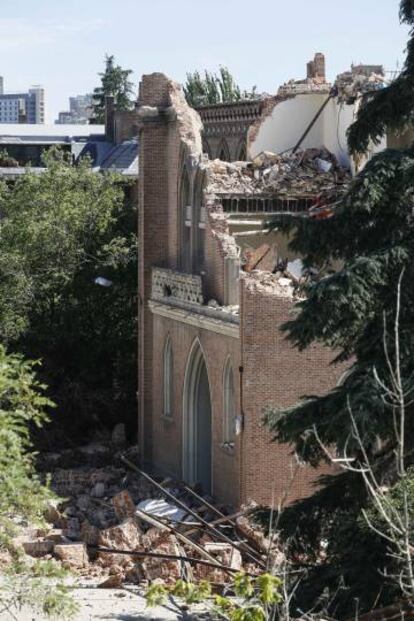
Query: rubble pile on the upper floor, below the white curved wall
(308, 173)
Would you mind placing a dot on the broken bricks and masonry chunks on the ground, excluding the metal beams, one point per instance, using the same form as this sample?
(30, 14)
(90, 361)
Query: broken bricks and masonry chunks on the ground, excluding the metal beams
(85, 524)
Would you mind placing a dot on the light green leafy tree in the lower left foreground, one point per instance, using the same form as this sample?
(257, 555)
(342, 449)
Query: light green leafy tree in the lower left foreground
(23, 496)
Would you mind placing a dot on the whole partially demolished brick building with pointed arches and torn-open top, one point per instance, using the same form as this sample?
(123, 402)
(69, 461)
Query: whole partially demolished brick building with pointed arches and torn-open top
(215, 287)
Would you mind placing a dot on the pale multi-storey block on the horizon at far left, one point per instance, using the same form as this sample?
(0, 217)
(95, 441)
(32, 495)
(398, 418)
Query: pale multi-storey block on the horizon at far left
(22, 107)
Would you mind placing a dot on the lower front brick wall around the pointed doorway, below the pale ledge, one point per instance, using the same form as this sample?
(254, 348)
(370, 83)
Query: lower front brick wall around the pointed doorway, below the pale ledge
(168, 433)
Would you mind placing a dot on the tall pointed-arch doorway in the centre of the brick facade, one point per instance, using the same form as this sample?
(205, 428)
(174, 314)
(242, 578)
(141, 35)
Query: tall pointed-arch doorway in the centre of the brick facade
(197, 421)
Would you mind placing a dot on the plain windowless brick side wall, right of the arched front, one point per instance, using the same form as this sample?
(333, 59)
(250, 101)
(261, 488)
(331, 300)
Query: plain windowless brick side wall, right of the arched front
(275, 373)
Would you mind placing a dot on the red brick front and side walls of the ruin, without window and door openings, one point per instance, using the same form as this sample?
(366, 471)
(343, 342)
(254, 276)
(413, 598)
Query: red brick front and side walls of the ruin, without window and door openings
(267, 370)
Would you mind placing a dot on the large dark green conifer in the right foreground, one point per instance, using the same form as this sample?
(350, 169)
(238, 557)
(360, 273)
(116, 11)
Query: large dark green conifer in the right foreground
(371, 235)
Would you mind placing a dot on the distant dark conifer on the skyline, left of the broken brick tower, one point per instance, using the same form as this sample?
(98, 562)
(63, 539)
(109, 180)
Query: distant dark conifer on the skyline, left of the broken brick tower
(115, 82)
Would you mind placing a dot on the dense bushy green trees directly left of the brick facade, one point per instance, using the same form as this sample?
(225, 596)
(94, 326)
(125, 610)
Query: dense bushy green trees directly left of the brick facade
(60, 231)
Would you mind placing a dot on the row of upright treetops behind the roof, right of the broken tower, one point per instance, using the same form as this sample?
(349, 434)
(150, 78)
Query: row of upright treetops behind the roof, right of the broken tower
(213, 88)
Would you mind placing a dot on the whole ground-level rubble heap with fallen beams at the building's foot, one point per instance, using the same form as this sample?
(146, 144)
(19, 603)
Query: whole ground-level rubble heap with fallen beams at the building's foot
(117, 523)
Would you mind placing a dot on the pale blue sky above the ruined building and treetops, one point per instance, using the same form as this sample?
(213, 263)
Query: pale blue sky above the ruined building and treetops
(61, 44)
